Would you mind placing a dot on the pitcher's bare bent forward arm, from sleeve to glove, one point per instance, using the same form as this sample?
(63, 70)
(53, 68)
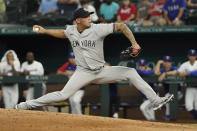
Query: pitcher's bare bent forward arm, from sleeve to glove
(127, 32)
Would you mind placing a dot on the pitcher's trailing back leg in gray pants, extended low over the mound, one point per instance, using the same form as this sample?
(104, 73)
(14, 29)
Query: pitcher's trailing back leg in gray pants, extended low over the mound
(78, 80)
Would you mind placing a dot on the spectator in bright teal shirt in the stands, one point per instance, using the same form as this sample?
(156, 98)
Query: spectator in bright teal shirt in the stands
(108, 11)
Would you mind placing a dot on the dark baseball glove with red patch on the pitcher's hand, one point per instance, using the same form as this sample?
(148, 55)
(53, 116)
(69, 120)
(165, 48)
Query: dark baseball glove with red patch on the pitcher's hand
(129, 54)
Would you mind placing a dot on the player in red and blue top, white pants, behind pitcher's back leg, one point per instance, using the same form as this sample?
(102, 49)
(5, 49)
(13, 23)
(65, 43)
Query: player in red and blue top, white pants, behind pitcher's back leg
(68, 69)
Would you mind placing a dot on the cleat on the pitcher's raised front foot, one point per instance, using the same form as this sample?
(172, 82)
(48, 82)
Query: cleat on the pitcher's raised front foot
(164, 100)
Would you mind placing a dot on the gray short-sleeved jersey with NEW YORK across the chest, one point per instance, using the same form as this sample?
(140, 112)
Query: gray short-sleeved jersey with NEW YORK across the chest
(88, 45)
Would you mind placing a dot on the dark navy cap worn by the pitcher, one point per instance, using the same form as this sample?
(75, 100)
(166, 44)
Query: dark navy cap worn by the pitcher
(81, 13)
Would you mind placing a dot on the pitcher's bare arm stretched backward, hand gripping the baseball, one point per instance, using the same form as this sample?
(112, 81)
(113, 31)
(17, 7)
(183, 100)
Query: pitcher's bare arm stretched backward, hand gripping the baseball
(54, 33)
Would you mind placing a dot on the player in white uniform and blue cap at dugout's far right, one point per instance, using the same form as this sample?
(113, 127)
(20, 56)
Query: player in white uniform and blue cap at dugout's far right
(186, 69)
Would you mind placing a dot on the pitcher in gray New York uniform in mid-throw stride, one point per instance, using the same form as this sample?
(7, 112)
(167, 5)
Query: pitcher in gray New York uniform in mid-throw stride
(86, 40)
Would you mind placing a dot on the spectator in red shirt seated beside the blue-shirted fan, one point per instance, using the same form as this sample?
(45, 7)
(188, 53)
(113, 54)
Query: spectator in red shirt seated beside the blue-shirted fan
(156, 16)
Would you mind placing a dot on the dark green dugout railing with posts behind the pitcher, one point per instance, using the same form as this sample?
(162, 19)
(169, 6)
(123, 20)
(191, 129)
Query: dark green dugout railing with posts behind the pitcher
(174, 81)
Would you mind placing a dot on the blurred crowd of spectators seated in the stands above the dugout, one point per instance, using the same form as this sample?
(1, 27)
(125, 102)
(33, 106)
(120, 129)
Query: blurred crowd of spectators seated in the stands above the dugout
(131, 12)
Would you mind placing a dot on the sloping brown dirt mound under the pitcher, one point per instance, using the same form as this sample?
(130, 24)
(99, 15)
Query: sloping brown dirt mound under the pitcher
(20, 120)
